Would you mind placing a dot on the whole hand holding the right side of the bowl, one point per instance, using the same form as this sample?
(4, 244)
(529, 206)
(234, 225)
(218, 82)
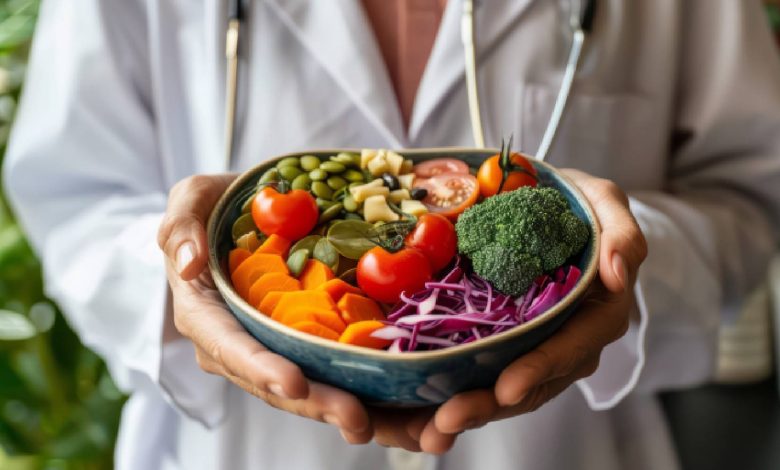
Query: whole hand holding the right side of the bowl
(572, 353)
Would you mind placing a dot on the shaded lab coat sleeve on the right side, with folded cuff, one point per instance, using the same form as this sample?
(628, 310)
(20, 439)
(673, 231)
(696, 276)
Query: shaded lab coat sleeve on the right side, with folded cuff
(712, 233)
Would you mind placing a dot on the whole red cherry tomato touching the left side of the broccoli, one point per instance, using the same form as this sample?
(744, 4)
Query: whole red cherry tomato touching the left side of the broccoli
(435, 236)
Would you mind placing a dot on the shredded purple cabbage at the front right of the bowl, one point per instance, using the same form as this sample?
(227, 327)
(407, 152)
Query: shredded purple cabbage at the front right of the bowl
(462, 307)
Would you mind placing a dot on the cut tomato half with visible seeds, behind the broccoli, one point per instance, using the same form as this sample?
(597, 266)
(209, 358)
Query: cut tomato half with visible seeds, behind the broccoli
(450, 194)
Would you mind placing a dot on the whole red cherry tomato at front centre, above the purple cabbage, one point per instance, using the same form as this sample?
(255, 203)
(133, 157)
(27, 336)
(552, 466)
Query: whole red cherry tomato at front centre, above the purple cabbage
(384, 275)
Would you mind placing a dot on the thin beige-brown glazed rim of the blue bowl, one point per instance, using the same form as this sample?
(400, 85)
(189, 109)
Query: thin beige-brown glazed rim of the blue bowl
(225, 287)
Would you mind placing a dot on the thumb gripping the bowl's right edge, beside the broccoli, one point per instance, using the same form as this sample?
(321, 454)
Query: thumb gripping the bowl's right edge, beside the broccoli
(623, 246)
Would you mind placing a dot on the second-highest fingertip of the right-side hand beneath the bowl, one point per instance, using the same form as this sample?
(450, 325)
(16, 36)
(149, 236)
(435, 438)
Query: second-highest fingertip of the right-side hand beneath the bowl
(466, 410)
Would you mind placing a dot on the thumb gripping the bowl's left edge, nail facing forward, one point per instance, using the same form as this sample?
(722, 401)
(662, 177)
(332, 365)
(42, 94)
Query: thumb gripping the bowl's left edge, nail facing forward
(182, 233)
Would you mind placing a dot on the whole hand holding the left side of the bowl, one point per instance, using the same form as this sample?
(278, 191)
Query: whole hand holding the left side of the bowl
(222, 345)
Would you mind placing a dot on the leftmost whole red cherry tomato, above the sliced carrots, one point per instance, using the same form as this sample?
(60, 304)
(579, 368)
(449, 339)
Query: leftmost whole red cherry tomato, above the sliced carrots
(291, 215)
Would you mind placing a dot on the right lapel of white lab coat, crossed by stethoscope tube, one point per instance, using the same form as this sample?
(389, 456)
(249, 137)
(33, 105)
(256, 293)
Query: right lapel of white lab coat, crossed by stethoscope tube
(446, 66)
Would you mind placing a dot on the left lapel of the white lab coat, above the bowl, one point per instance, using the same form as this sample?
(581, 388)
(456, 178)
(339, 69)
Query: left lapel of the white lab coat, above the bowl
(338, 35)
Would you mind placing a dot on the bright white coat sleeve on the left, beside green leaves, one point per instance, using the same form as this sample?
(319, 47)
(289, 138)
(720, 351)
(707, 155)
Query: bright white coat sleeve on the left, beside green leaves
(84, 173)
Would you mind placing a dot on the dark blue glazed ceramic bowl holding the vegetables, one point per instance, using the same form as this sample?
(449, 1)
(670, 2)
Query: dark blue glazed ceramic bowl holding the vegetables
(407, 379)
